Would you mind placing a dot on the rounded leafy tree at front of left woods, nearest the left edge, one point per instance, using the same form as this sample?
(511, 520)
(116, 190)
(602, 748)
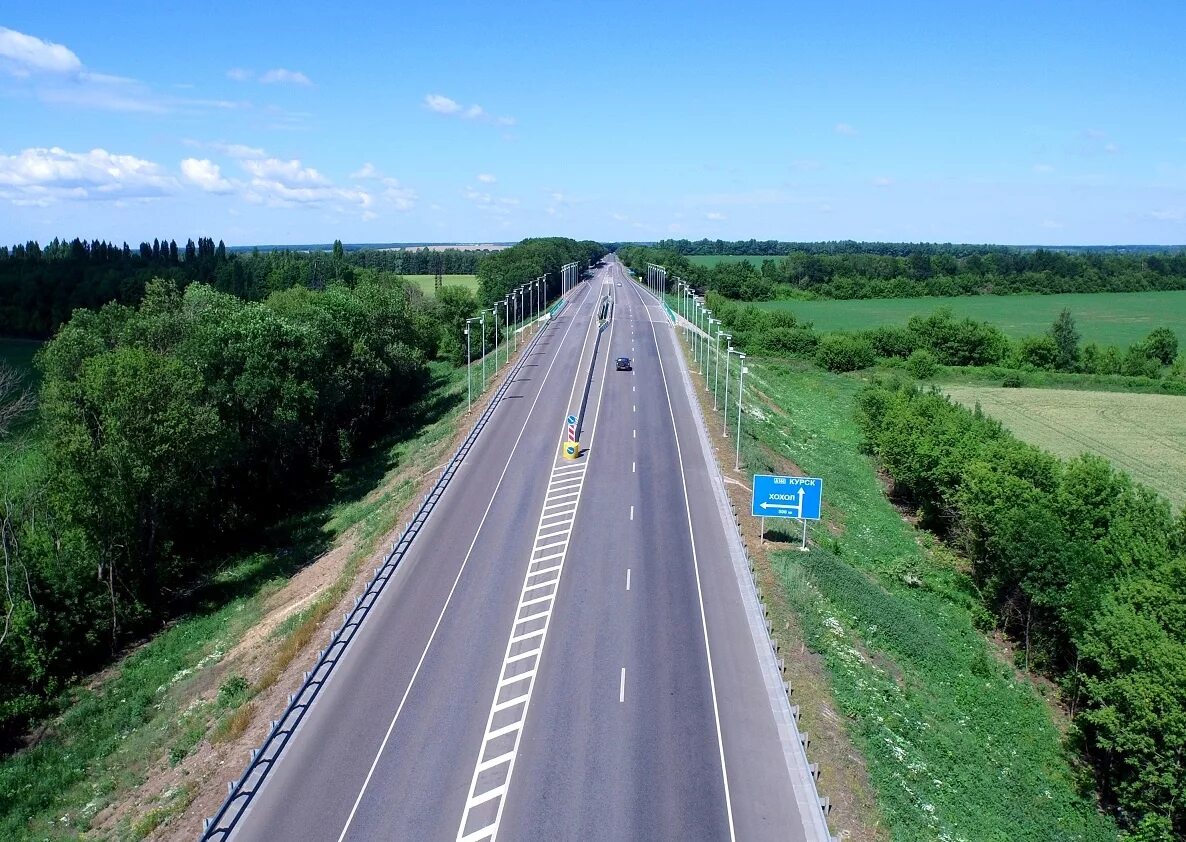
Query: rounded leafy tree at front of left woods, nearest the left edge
(132, 441)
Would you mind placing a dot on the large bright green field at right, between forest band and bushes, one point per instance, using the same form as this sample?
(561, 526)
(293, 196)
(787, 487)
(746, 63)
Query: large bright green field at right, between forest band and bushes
(1105, 318)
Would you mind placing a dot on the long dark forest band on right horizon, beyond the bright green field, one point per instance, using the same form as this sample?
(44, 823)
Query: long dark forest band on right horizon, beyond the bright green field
(930, 271)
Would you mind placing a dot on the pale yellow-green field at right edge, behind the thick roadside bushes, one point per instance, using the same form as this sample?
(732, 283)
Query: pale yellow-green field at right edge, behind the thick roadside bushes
(1144, 436)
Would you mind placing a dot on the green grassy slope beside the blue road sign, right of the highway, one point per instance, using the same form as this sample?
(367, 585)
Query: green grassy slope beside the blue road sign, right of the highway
(958, 744)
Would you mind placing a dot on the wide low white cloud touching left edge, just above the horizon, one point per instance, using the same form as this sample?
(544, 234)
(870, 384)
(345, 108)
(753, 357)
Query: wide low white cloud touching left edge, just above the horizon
(43, 176)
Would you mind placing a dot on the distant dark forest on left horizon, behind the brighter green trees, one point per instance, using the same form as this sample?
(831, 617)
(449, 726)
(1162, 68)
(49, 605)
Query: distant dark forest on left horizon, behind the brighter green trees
(40, 288)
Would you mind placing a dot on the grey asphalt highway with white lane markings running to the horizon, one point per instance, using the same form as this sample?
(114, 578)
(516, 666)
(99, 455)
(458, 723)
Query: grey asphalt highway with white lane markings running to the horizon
(565, 653)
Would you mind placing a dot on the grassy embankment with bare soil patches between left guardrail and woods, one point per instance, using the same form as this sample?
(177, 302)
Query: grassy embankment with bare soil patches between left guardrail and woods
(161, 703)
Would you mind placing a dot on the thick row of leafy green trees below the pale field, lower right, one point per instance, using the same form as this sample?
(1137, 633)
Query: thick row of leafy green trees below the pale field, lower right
(1083, 569)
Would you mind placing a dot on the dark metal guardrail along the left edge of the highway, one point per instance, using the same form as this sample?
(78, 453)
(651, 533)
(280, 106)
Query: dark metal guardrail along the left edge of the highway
(240, 793)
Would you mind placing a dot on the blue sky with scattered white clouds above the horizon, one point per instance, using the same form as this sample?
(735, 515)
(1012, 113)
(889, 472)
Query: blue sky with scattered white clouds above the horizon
(258, 123)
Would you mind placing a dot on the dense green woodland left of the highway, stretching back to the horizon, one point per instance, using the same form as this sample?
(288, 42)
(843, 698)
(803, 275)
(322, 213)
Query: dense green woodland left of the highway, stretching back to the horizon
(170, 431)
